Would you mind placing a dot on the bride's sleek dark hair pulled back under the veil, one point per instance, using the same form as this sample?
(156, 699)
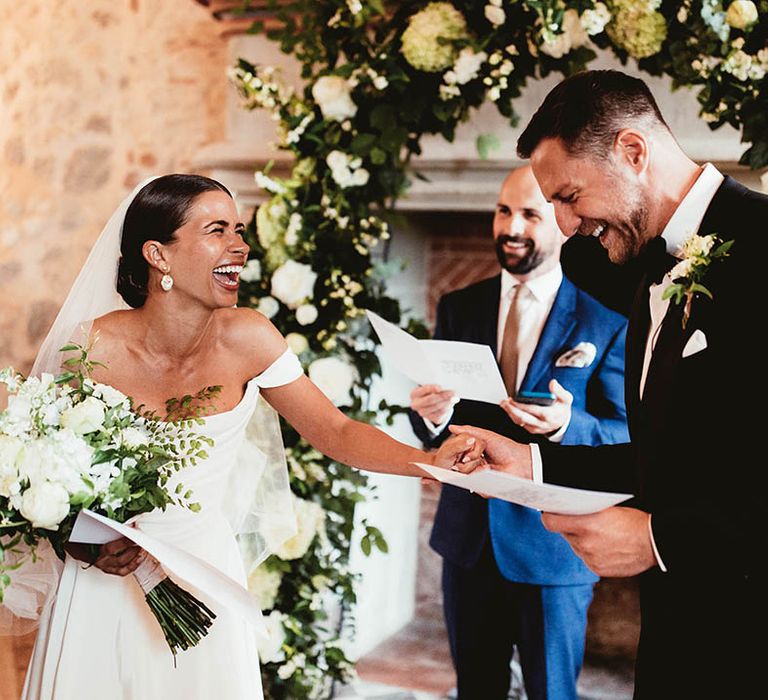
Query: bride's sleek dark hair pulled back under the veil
(155, 213)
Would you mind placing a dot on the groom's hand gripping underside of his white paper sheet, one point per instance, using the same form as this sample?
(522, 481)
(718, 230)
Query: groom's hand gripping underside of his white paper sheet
(614, 542)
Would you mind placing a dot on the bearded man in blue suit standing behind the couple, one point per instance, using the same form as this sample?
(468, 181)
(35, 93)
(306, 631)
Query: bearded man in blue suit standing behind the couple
(507, 582)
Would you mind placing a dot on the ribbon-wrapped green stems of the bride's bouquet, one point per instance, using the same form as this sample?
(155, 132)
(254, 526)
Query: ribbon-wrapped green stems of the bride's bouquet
(183, 618)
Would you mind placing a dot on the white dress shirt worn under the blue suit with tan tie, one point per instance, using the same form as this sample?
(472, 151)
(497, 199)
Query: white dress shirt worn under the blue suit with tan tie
(537, 305)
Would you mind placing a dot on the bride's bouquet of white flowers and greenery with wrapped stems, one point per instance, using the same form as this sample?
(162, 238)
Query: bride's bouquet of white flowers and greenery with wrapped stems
(68, 444)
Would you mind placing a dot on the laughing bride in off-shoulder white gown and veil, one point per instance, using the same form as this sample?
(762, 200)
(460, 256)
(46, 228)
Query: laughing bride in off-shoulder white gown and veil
(180, 248)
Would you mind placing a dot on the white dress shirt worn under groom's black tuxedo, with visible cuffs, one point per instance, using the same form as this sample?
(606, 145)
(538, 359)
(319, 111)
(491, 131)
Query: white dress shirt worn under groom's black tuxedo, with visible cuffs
(685, 221)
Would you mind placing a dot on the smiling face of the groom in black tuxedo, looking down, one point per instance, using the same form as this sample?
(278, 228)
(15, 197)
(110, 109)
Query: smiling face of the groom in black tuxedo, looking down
(594, 197)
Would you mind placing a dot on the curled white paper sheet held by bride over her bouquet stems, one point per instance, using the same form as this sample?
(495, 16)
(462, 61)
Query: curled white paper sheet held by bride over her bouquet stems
(92, 528)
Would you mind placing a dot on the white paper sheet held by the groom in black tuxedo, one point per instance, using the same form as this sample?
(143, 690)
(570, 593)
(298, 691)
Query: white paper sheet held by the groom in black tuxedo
(545, 497)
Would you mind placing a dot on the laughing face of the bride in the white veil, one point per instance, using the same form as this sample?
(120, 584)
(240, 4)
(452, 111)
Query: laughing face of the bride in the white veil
(208, 252)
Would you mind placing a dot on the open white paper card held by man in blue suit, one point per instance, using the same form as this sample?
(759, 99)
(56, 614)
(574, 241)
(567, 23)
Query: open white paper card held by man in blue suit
(467, 369)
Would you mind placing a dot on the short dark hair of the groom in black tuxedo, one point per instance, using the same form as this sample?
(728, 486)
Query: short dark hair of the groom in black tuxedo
(587, 110)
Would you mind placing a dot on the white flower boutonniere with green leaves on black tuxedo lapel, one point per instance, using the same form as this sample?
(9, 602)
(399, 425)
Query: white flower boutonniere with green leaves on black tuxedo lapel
(698, 254)
